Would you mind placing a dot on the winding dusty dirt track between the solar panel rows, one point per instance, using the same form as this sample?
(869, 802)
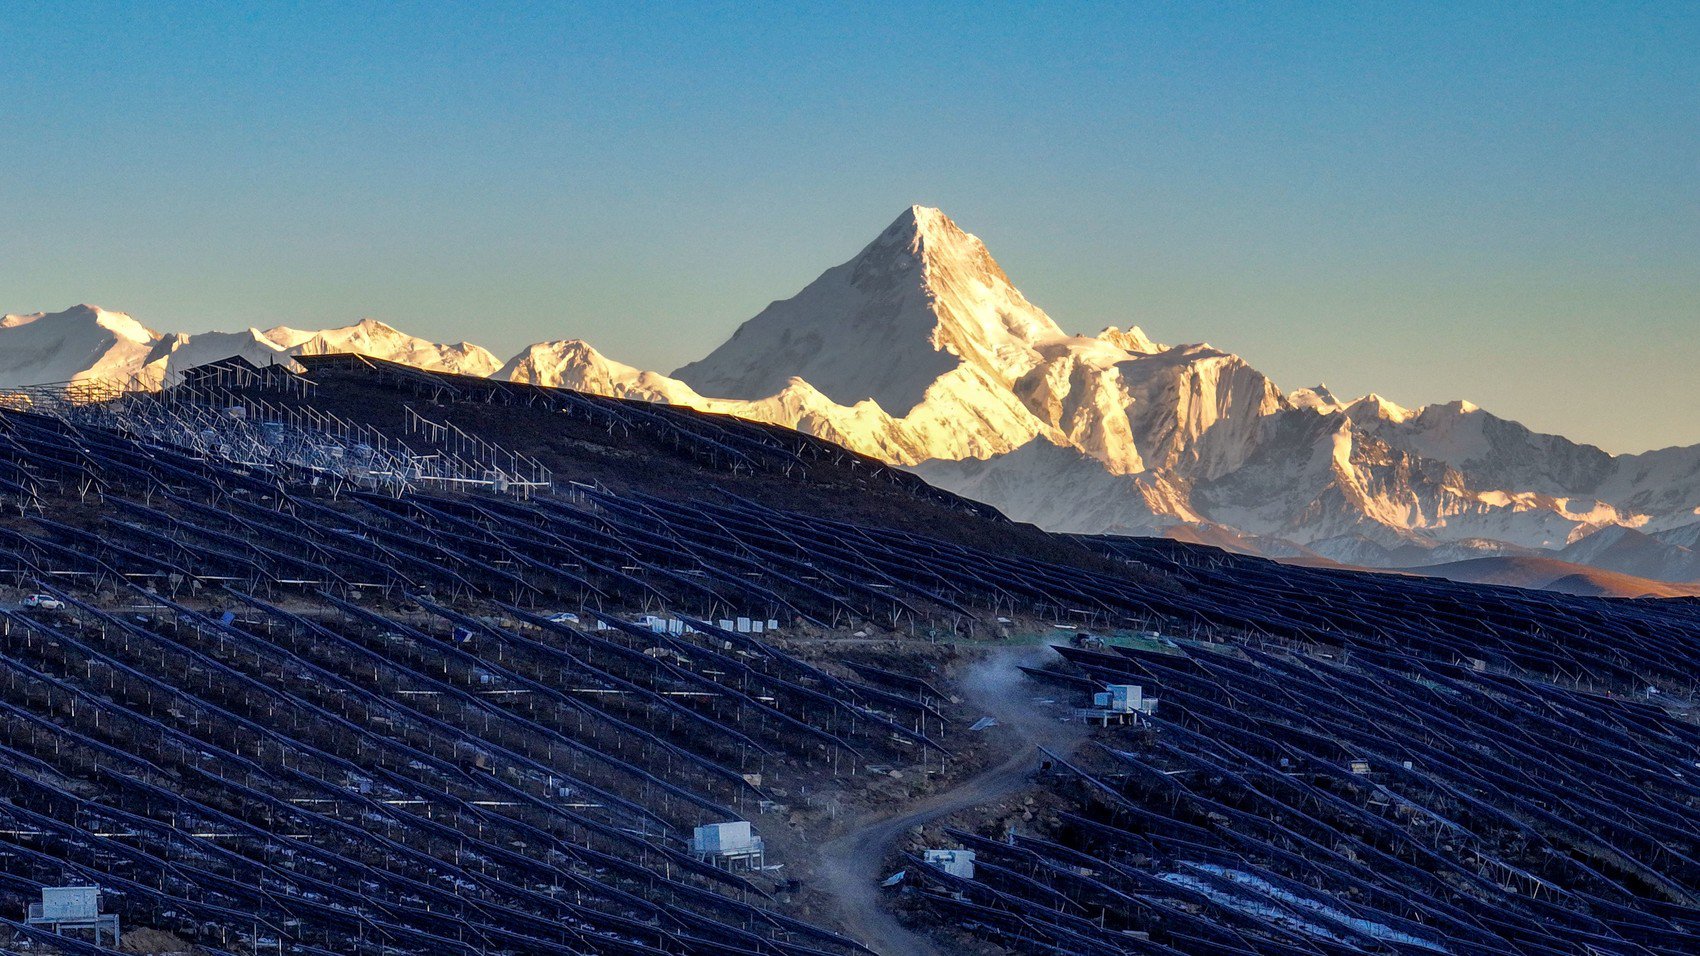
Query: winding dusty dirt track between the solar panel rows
(851, 865)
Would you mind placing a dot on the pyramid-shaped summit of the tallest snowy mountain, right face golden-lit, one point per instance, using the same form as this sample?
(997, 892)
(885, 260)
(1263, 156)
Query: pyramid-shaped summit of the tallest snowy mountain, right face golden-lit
(915, 304)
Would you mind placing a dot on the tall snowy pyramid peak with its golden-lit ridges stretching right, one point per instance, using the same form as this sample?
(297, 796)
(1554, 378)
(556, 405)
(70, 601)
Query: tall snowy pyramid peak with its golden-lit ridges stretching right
(922, 351)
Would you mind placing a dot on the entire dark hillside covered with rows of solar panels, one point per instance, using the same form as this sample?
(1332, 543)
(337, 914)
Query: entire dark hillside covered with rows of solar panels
(373, 661)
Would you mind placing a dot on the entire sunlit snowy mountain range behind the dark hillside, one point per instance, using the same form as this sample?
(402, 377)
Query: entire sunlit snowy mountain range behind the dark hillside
(922, 353)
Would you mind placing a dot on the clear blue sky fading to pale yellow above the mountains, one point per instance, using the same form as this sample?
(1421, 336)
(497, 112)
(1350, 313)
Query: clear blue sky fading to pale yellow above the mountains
(1493, 202)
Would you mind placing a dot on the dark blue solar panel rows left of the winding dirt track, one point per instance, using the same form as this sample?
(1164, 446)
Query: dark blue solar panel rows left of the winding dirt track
(232, 734)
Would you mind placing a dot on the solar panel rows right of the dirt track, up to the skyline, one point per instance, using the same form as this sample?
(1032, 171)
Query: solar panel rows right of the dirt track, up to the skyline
(1366, 765)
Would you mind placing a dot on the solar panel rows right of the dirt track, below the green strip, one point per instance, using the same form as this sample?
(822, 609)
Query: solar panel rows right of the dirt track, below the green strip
(1385, 804)
